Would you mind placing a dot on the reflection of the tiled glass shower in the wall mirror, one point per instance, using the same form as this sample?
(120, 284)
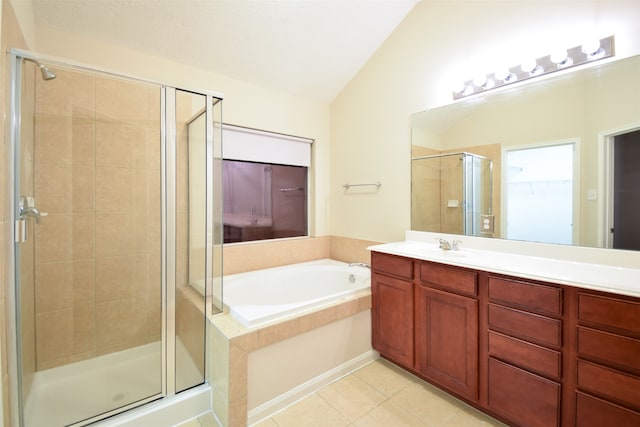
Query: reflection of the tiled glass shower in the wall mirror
(451, 193)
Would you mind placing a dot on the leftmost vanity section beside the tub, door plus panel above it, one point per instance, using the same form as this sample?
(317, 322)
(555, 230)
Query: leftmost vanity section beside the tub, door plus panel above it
(392, 307)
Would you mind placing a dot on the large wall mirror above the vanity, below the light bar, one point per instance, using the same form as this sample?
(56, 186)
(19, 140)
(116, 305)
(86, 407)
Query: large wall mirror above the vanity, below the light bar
(564, 155)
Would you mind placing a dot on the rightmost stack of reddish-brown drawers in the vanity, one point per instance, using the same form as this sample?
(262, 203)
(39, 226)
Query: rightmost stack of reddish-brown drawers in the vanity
(608, 363)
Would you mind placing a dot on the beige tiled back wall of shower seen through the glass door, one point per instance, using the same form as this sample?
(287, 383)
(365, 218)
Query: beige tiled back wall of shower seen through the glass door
(97, 175)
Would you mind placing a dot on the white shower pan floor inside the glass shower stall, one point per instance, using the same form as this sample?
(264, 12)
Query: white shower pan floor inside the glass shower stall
(75, 392)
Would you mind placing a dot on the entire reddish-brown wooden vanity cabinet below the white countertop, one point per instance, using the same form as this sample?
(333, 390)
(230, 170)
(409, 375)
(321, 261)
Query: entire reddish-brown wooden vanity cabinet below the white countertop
(530, 353)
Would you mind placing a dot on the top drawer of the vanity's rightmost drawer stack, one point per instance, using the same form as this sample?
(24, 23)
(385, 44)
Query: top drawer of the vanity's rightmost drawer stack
(609, 312)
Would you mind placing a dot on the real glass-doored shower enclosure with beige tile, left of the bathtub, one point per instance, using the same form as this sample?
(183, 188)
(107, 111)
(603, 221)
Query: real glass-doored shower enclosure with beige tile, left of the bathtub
(115, 218)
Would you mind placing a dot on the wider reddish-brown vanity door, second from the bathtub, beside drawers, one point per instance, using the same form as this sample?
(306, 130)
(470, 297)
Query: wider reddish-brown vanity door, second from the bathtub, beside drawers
(447, 340)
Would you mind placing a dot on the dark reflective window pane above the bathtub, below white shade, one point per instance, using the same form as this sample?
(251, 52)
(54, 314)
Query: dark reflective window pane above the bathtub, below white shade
(263, 201)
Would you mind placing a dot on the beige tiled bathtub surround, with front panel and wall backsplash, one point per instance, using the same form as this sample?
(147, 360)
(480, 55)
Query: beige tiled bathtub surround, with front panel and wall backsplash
(240, 357)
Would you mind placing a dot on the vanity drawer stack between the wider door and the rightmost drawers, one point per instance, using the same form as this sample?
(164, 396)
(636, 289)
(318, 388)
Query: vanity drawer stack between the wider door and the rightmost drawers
(525, 351)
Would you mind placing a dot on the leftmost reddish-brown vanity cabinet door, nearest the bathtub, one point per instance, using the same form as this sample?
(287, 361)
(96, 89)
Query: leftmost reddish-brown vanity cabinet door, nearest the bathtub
(392, 318)
